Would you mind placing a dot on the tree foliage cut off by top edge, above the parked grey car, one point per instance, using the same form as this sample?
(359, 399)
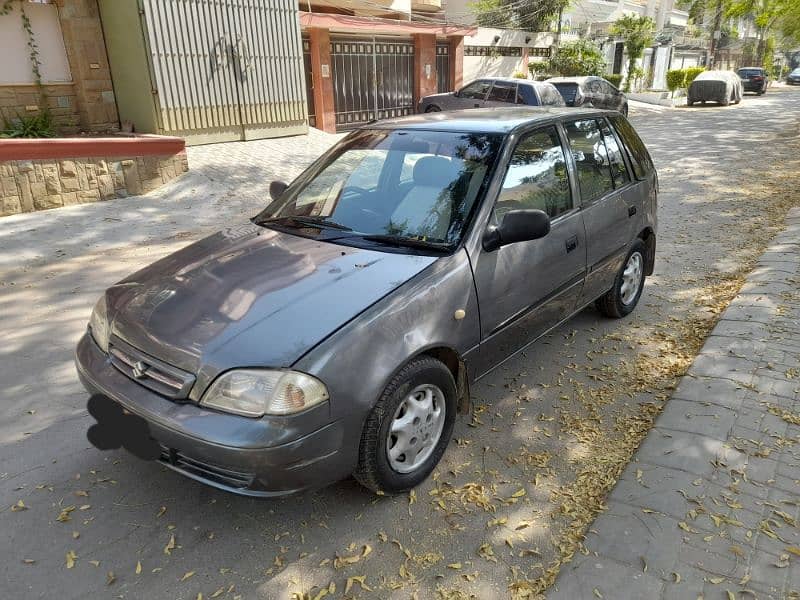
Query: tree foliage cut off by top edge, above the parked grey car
(528, 15)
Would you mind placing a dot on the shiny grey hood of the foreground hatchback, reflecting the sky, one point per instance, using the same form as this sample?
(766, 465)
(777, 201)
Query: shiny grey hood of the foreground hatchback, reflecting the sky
(251, 297)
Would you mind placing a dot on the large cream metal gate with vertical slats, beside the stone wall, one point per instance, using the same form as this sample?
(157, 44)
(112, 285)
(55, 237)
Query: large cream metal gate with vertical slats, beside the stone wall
(226, 69)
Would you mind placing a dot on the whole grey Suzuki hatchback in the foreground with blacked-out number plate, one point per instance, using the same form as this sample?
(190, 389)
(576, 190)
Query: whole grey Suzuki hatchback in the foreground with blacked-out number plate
(339, 331)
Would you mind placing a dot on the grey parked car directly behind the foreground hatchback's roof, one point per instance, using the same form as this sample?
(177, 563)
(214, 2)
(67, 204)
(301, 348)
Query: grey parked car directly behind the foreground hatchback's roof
(494, 91)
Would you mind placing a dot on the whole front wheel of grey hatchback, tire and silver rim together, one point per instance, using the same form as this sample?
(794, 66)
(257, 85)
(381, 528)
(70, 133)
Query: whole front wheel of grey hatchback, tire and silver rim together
(409, 428)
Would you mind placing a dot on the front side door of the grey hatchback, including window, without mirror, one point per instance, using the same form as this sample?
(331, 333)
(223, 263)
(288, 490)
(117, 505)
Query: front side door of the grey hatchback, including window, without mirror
(526, 288)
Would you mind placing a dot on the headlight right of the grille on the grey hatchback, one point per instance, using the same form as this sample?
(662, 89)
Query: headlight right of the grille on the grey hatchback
(255, 392)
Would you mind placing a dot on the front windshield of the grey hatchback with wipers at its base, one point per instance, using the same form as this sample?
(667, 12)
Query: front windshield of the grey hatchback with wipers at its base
(391, 187)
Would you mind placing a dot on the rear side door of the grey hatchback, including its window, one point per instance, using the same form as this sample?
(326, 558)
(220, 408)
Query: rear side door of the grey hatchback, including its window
(608, 201)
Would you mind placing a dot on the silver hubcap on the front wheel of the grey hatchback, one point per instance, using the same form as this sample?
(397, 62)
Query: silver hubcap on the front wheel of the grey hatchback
(416, 428)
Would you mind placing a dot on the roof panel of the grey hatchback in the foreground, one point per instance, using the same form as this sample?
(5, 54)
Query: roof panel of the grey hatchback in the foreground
(483, 120)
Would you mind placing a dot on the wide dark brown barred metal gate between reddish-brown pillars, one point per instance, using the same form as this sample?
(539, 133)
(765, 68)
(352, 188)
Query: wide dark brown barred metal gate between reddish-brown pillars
(373, 78)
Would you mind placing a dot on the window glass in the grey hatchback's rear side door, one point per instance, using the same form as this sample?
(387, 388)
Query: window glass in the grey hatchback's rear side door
(591, 159)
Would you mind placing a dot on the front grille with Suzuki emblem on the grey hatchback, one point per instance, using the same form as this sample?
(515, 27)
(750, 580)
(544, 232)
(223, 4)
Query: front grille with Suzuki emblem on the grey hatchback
(150, 372)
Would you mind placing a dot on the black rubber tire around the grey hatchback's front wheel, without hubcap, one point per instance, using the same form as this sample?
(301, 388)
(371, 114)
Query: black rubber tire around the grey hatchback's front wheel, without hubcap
(373, 470)
